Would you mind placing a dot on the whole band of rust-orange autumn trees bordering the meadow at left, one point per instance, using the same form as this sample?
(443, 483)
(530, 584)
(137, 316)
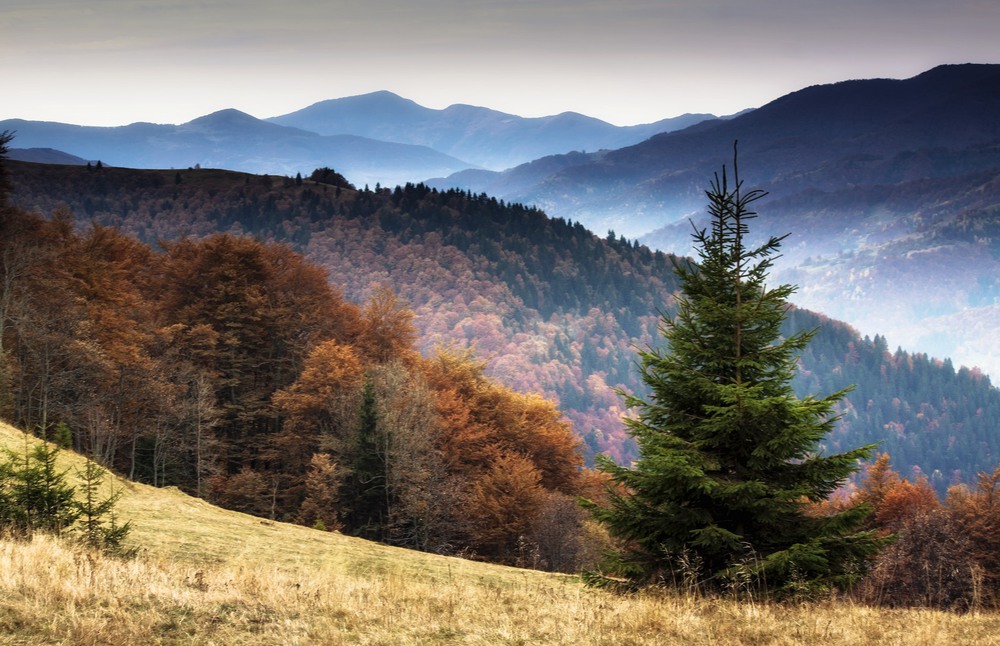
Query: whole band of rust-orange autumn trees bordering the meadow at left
(232, 369)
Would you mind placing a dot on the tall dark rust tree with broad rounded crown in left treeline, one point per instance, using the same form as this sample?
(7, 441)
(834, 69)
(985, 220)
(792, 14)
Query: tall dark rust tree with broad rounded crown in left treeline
(269, 308)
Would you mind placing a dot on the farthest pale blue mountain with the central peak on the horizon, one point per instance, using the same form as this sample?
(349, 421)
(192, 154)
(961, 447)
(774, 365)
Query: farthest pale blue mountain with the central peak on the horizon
(487, 138)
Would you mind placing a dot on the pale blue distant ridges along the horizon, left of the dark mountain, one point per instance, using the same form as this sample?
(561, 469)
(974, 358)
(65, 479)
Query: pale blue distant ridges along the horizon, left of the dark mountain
(377, 138)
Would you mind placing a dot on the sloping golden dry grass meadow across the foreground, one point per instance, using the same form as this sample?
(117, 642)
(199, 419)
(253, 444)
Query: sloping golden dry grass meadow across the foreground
(210, 576)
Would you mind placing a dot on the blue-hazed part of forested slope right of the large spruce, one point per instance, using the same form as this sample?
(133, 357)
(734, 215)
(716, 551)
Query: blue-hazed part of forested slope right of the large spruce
(936, 422)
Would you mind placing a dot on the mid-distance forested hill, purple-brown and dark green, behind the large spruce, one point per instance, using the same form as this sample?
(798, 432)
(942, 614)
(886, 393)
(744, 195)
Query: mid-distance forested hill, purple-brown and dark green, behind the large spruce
(552, 307)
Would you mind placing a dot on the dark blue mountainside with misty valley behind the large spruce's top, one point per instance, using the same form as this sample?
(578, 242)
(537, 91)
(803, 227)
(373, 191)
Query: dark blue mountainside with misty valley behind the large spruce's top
(889, 189)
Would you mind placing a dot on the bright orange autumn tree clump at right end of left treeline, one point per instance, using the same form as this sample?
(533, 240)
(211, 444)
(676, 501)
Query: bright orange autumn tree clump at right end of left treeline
(515, 464)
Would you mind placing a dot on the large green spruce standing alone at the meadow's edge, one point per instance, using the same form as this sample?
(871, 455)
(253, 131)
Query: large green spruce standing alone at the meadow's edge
(730, 457)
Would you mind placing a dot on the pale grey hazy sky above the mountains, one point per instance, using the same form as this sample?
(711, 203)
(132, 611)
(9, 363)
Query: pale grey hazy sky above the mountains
(111, 62)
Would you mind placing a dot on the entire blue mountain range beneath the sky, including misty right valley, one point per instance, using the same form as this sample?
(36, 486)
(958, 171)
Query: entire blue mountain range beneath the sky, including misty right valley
(888, 187)
